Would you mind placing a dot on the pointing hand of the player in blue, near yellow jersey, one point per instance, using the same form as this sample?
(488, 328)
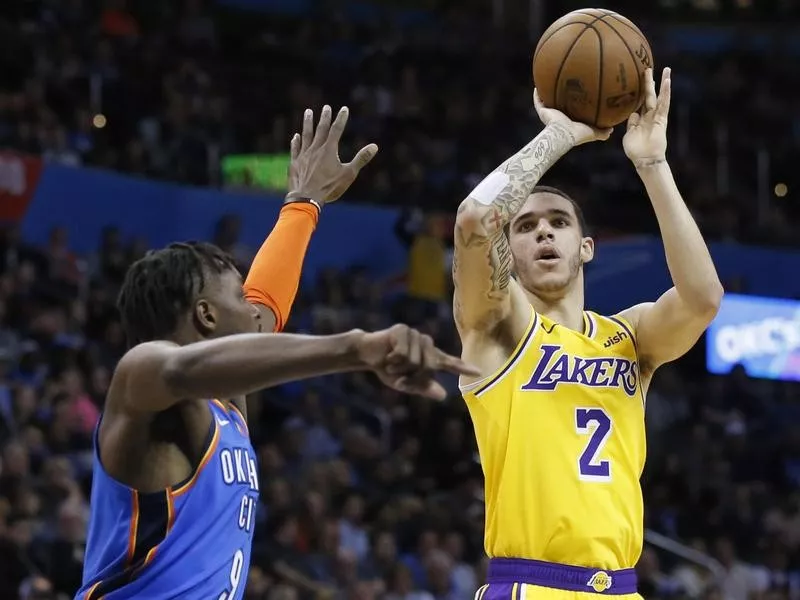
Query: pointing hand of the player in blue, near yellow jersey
(407, 360)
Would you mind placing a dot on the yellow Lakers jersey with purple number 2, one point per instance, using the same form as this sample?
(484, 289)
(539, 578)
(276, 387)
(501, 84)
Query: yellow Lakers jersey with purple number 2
(560, 431)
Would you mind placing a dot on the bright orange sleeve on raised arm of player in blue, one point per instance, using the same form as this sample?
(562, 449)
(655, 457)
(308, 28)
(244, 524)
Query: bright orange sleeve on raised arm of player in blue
(275, 273)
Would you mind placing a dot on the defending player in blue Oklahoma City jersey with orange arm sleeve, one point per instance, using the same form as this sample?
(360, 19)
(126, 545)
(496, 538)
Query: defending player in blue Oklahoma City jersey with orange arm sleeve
(175, 482)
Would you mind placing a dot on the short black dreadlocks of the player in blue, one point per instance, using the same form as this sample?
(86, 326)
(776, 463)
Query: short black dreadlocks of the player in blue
(162, 285)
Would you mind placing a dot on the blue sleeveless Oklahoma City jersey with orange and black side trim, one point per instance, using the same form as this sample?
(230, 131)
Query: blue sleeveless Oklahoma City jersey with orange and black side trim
(189, 541)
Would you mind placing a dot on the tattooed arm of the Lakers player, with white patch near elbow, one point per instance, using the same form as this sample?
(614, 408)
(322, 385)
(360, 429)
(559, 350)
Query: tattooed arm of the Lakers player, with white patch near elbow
(485, 295)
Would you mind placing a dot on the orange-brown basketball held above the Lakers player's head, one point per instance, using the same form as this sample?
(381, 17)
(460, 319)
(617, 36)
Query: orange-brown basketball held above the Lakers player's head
(590, 65)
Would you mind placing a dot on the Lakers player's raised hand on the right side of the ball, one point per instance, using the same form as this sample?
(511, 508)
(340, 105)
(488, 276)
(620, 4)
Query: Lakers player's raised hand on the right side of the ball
(646, 137)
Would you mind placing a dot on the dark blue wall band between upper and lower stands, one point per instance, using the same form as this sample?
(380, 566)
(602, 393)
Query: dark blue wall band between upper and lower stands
(84, 201)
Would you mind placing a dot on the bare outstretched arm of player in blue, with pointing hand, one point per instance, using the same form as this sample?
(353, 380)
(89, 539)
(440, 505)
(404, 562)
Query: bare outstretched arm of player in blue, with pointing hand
(154, 376)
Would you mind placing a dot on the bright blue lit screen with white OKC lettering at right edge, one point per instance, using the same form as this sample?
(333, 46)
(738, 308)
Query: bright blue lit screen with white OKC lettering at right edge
(760, 334)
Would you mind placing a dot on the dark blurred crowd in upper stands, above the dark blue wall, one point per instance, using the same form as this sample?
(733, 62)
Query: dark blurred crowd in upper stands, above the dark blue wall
(166, 90)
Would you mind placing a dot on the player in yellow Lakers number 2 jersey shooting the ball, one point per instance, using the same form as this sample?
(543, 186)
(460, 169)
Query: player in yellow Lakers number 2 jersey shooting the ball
(558, 408)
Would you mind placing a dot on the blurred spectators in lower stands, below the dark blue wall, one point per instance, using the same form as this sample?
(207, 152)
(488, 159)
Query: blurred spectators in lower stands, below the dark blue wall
(368, 493)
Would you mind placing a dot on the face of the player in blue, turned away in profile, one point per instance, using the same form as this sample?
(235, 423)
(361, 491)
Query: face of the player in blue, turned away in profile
(223, 308)
